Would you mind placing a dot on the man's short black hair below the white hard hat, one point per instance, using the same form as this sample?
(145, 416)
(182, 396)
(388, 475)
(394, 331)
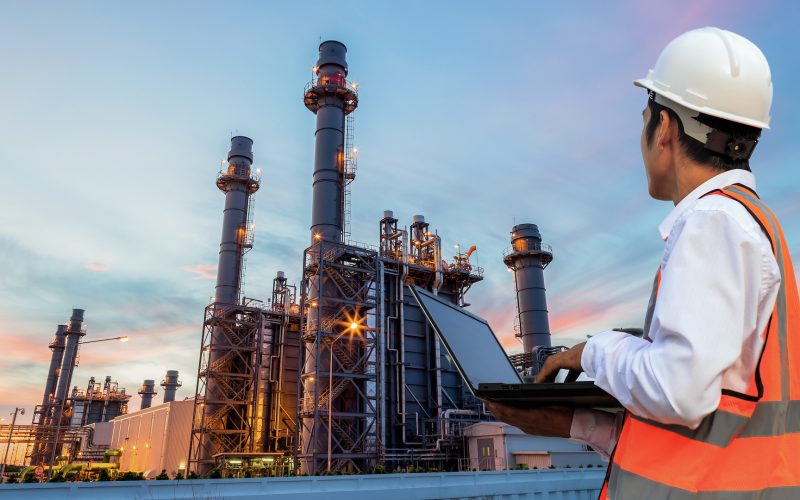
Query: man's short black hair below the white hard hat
(695, 149)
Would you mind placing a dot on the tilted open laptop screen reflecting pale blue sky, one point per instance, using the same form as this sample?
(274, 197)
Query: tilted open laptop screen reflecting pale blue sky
(469, 340)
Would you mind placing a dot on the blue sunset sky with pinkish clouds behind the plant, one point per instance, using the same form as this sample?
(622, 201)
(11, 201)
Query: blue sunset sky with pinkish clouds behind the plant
(114, 117)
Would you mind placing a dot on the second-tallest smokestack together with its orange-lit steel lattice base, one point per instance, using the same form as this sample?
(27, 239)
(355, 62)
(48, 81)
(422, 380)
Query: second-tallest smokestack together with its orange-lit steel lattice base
(228, 371)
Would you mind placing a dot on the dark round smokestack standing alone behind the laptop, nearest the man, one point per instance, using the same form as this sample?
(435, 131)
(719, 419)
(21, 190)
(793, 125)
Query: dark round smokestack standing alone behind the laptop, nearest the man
(527, 258)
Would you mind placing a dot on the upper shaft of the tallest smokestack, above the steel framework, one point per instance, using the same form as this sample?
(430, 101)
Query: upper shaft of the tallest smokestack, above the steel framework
(331, 99)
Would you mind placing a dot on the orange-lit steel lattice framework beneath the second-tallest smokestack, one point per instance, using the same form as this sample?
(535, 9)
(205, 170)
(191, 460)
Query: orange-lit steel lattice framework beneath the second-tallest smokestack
(228, 424)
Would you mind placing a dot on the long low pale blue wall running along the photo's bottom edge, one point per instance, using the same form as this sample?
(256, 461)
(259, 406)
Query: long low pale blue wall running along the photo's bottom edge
(564, 484)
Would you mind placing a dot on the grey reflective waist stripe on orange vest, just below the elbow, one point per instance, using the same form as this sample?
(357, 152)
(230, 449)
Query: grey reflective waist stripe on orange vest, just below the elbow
(770, 418)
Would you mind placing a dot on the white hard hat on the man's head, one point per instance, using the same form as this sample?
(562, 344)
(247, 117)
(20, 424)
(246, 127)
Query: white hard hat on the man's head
(715, 72)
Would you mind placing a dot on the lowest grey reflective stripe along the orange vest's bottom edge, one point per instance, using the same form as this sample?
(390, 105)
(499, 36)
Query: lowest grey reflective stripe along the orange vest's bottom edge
(638, 487)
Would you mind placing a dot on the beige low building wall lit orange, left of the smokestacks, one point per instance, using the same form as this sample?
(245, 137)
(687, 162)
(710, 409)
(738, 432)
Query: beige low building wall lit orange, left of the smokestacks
(154, 438)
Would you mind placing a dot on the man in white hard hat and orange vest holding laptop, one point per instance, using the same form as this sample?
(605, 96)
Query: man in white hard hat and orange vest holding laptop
(712, 391)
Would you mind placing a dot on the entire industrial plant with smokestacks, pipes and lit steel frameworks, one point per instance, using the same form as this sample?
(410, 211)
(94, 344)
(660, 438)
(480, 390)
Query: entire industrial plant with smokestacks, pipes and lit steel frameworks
(340, 374)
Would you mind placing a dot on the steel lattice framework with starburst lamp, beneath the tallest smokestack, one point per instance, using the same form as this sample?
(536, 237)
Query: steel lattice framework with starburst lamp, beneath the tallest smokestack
(340, 407)
